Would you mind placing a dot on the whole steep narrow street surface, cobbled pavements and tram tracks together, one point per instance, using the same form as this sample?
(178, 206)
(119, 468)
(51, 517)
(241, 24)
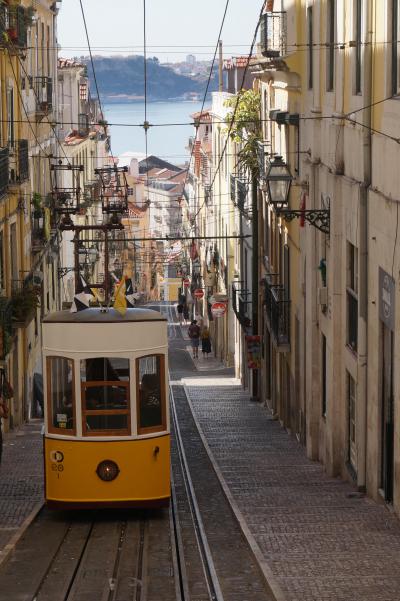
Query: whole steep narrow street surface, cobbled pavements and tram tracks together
(288, 533)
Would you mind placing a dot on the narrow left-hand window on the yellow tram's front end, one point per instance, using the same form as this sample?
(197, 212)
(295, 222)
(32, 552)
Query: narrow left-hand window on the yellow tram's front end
(61, 401)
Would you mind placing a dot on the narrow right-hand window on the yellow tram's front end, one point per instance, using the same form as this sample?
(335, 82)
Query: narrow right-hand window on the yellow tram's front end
(151, 393)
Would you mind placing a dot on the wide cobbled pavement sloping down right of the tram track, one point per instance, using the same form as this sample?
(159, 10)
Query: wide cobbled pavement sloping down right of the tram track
(321, 539)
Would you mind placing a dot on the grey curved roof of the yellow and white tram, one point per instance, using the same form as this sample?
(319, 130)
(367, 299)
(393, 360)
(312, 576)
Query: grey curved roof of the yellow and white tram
(97, 315)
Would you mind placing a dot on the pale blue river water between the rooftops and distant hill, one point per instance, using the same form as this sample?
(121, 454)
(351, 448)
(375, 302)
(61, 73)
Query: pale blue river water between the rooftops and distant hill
(168, 141)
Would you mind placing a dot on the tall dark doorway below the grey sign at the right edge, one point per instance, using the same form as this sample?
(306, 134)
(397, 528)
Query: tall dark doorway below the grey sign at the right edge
(387, 415)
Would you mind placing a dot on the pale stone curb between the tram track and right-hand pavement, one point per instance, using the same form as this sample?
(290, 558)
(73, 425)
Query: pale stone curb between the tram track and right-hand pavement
(270, 579)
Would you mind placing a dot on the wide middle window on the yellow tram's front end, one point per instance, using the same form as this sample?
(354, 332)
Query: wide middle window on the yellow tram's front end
(105, 396)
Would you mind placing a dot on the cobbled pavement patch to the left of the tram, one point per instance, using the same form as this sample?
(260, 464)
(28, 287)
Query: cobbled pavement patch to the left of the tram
(21, 478)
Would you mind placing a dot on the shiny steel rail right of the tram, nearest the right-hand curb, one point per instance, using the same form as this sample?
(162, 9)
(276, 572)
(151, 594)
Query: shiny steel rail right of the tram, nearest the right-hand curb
(210, 574)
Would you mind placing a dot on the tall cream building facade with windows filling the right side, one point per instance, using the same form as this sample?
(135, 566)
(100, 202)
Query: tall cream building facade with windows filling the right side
(329, 75)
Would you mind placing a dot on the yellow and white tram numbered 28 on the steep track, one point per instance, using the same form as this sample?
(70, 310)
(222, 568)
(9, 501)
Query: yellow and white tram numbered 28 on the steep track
(107, 436)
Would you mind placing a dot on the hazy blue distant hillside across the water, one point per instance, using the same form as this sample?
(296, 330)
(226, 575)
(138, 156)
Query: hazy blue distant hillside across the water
(122, 77)
